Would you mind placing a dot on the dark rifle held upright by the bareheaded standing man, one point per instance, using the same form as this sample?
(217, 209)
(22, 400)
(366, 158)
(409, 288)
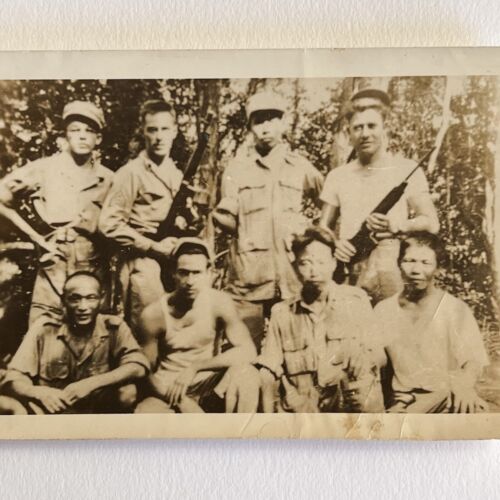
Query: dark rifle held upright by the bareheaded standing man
(167, 226)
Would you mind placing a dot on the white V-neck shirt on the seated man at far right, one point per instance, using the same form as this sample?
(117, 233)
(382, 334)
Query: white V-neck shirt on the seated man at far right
(425, 353)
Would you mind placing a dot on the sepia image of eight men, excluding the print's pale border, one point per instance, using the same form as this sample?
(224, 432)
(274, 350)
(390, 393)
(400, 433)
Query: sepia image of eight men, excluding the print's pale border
(249, 245)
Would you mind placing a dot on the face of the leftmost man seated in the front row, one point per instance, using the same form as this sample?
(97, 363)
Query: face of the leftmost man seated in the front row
(82, 300)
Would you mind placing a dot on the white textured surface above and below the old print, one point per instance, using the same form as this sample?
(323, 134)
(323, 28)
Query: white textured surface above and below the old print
(251, 469)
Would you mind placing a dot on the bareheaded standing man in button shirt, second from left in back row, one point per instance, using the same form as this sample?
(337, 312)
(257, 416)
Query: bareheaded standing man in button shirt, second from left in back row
(139, 199)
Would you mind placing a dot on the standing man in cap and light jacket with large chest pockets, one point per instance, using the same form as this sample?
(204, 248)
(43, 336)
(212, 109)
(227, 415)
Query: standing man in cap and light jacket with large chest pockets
(262, 197)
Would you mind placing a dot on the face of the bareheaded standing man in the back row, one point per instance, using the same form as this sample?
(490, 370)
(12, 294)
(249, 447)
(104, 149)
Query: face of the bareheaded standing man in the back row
(160, 130)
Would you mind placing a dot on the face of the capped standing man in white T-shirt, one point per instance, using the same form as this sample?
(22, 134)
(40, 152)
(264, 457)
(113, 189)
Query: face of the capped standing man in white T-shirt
(367, 133)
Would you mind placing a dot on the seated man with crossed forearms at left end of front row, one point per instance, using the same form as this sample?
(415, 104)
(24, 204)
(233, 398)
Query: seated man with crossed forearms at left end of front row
(83, 365)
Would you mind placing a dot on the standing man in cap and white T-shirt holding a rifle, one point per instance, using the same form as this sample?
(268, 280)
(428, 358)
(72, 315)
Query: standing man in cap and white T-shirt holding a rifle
(353, 190)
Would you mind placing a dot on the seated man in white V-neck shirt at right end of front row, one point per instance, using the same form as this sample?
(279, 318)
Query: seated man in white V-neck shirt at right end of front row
(431, 338)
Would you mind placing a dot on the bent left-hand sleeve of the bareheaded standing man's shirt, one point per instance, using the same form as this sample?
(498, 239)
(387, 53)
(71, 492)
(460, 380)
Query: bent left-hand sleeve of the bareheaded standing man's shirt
(116, 211)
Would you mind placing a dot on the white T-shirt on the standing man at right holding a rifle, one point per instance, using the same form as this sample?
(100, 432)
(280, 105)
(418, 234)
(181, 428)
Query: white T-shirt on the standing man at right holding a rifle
(357, 190)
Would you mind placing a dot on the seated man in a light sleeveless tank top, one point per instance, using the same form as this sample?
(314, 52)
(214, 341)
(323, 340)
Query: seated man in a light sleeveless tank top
(179, 334)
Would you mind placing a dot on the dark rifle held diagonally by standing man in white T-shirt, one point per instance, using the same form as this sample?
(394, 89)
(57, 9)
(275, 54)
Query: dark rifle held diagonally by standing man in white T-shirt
(363, 241)
